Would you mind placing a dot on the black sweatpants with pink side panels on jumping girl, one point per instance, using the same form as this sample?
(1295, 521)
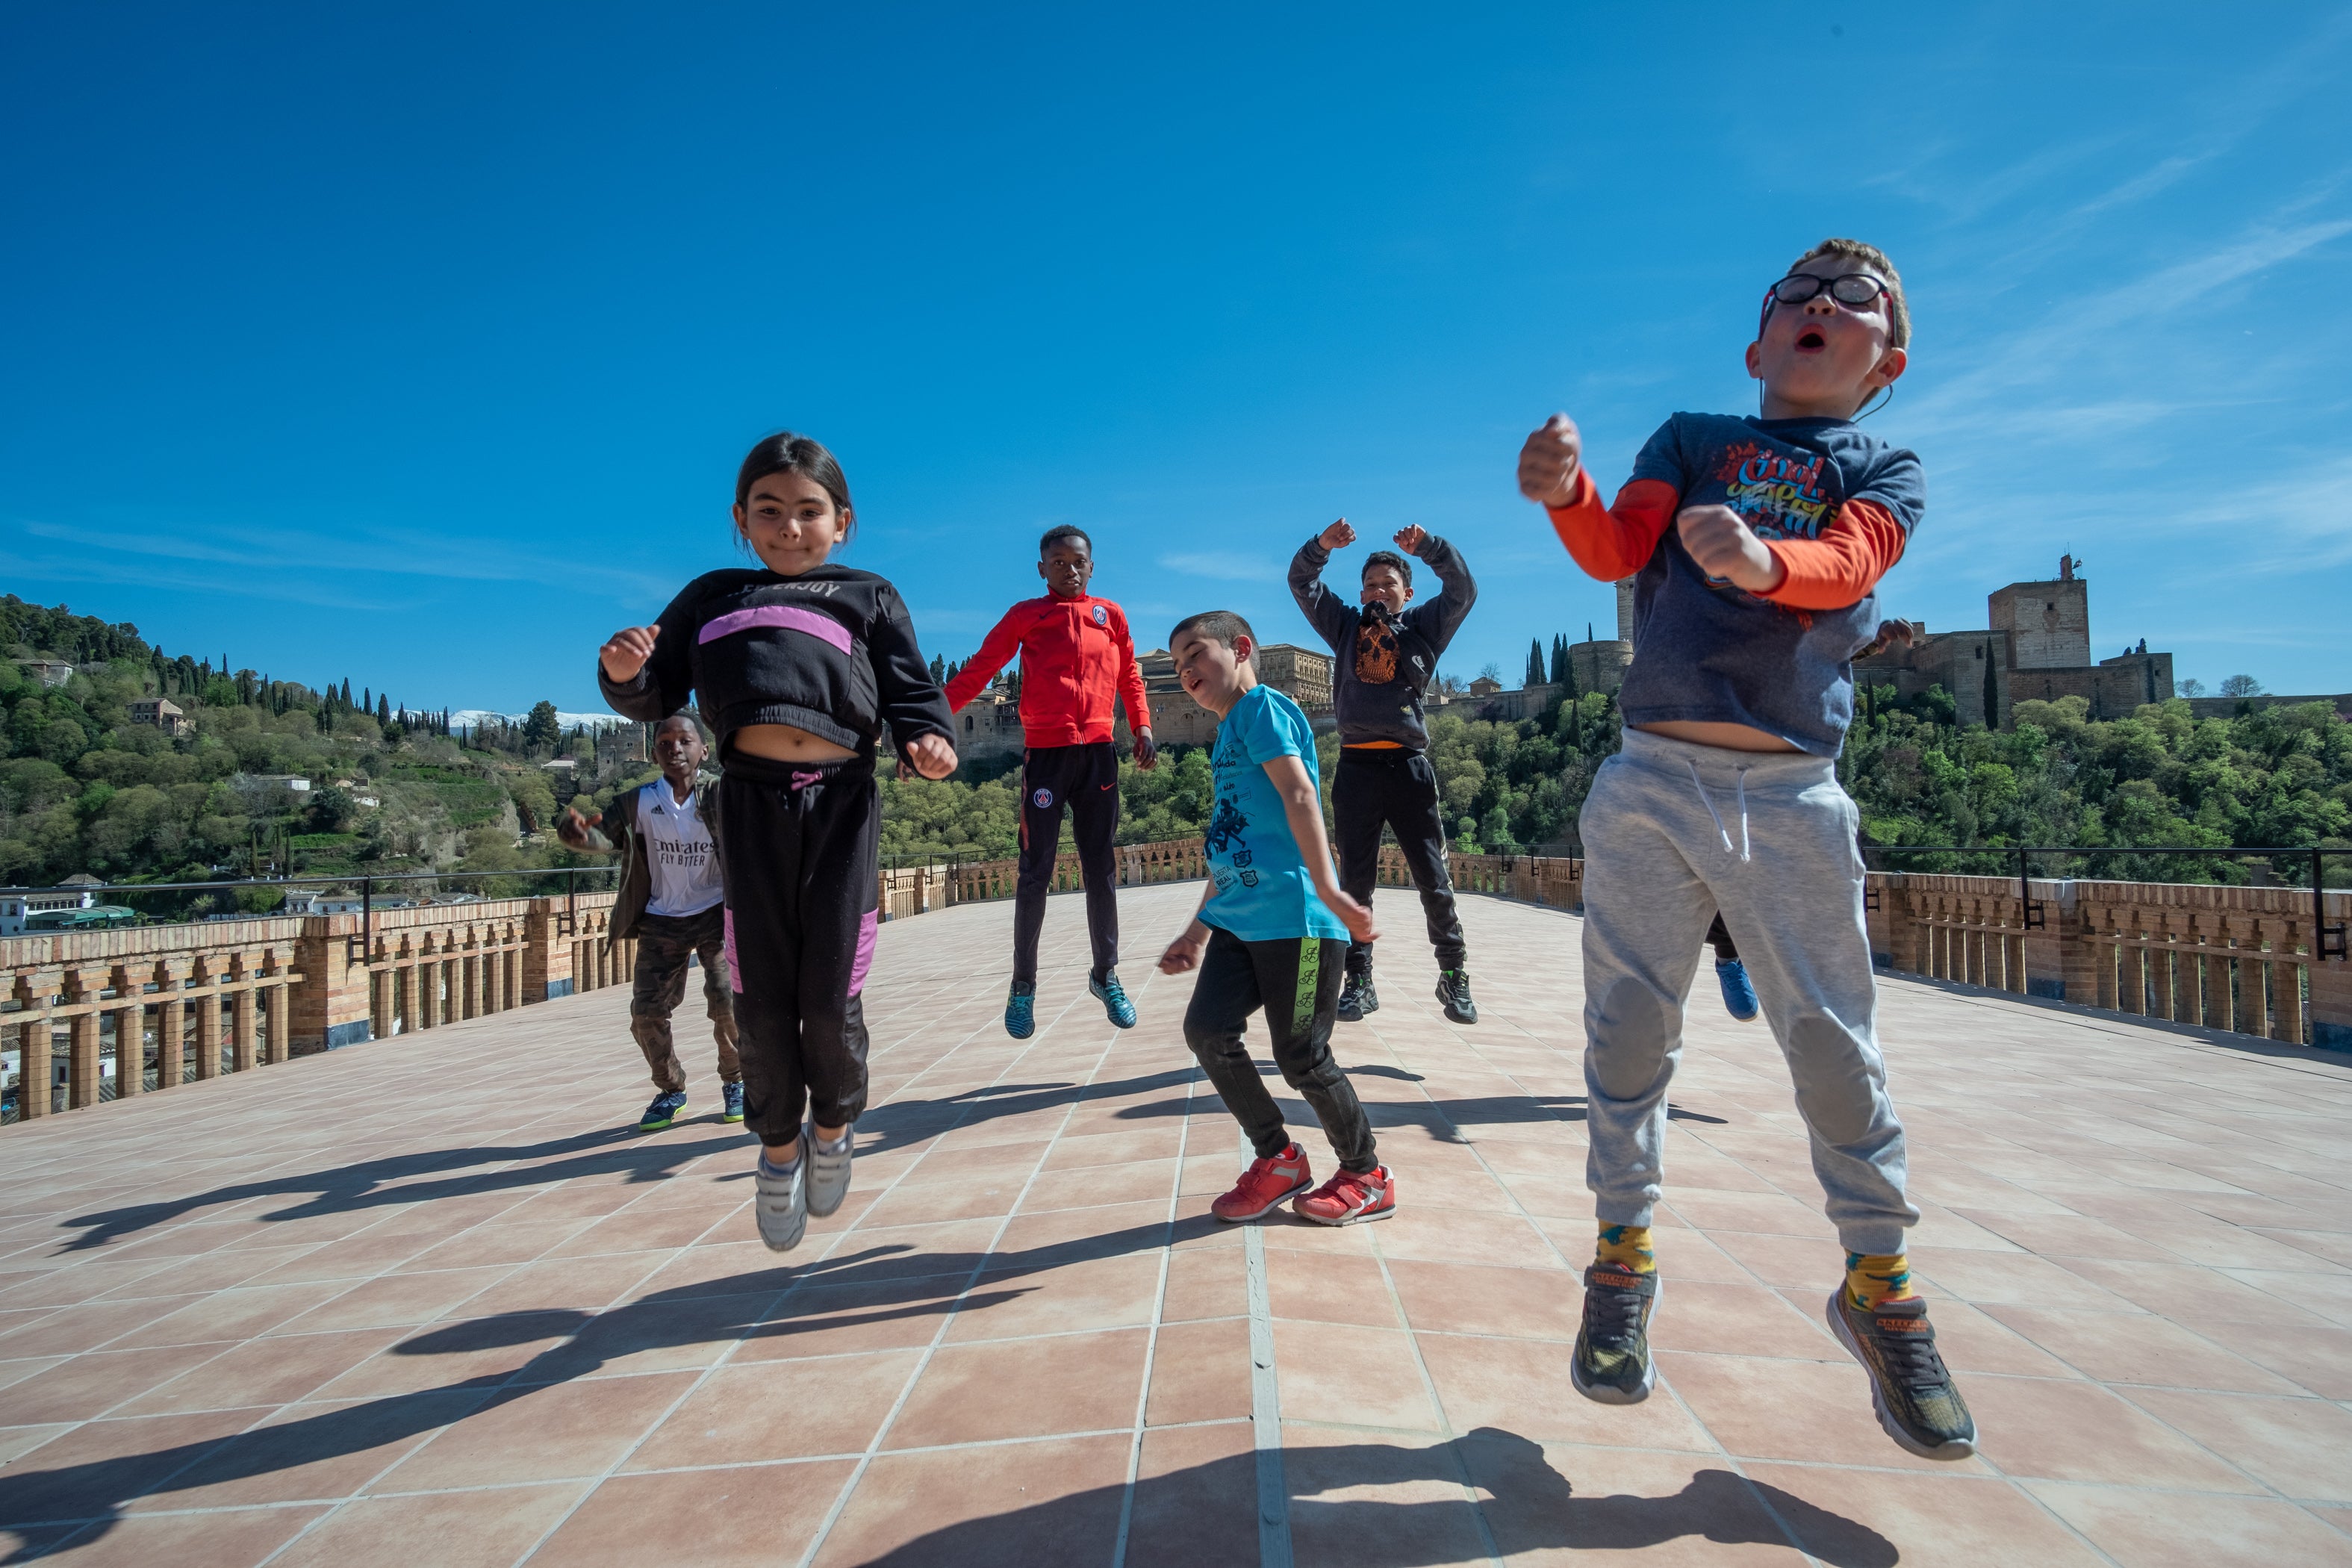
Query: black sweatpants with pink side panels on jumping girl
(801, 852)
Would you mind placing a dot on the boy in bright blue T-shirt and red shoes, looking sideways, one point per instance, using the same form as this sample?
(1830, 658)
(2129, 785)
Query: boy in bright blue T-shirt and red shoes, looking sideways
(1271, 932)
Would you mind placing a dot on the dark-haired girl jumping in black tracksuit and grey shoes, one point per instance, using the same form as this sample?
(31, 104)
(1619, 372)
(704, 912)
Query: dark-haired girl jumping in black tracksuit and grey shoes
(796, 669)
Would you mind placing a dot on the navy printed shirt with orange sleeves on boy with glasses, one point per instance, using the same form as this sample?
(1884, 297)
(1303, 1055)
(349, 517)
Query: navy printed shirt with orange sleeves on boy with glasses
(1833, 504)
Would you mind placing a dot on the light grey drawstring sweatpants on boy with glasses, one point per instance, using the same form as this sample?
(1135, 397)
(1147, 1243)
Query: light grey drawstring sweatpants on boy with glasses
(1673, 833)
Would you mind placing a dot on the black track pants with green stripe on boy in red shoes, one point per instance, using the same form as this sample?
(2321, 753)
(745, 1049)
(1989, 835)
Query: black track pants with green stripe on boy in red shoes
(1297, 984)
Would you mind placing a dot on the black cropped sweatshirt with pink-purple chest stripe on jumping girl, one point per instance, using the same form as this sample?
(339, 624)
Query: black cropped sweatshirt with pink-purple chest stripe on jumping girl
(829, 652)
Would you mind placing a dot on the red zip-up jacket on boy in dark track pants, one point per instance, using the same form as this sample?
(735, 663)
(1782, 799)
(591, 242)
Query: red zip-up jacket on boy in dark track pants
(1076, 662)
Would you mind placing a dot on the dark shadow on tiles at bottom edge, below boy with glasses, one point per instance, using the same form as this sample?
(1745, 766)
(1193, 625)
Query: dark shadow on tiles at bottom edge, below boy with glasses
(1208, 1513)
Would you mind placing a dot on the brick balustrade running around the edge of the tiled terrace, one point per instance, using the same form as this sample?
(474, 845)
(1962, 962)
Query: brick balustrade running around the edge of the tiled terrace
(234, 996)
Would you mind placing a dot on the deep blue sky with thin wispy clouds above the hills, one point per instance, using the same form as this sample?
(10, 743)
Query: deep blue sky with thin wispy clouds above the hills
(417, 344)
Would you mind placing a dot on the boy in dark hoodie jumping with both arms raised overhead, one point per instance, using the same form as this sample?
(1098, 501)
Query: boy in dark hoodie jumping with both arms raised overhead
(1389, 652)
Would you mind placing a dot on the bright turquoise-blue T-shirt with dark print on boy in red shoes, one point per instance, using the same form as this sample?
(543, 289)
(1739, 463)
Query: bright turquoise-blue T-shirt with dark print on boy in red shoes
(1264, 892)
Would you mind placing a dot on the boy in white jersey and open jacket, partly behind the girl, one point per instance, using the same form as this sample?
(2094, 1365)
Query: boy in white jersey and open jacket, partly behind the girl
(674, 904)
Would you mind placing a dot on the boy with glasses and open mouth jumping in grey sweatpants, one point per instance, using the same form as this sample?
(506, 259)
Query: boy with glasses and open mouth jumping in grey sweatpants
(1756, 547)
